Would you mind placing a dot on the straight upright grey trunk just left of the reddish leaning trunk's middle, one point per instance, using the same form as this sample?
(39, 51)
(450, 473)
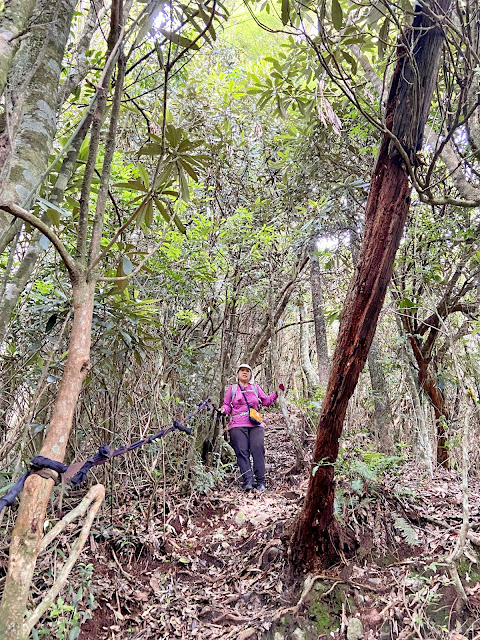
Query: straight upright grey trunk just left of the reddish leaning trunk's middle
(316, 284)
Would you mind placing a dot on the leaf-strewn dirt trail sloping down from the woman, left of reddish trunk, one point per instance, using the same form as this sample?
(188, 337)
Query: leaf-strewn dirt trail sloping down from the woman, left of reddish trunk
(218, 571)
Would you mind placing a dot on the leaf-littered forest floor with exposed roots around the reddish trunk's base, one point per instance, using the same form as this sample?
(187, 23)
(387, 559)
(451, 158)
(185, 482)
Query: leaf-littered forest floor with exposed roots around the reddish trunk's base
(214, 564)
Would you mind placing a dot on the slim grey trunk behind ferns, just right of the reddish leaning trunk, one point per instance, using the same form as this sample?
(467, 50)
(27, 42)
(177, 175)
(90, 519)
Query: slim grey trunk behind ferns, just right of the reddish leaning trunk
(381, 399)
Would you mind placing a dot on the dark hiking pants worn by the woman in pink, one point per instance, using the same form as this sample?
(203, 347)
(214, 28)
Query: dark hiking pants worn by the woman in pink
(246, 441)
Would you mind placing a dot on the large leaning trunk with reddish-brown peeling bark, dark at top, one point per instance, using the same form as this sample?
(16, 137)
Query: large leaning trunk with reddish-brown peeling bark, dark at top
(388, 203)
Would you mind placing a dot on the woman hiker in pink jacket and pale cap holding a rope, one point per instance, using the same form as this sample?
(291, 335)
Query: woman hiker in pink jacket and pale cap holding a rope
(247, 429)
